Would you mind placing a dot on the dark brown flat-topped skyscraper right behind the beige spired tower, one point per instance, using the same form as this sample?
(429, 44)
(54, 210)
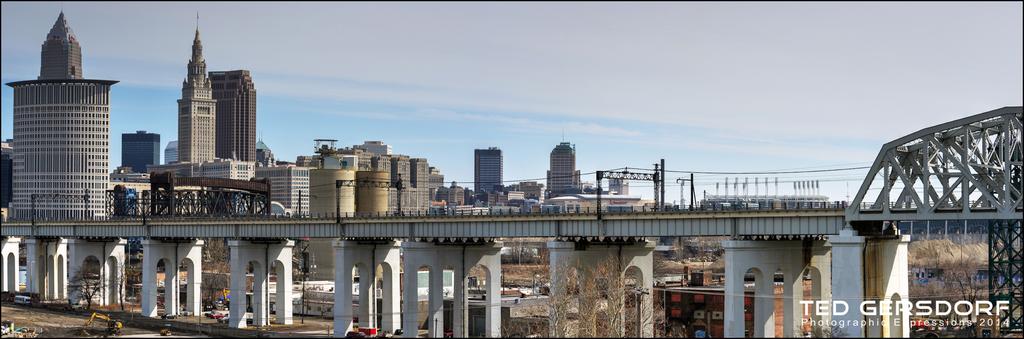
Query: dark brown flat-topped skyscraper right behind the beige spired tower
(236, 98)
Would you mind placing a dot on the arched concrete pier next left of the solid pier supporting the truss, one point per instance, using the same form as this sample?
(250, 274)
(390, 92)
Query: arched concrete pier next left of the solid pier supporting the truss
(764, 261)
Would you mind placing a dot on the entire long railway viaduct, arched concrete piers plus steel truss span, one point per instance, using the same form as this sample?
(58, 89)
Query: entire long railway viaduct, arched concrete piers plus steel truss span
(959, 171)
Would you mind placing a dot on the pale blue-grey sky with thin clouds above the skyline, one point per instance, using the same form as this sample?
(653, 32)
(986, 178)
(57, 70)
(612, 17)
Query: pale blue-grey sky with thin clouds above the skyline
(706, 87)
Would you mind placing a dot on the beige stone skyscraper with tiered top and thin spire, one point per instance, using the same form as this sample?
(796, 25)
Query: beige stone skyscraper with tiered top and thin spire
(197, 112)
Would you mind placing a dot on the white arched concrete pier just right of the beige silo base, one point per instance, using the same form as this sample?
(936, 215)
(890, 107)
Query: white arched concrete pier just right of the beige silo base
(367, 258)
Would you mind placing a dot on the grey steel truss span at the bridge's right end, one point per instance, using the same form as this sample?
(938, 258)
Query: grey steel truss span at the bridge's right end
(965, 169)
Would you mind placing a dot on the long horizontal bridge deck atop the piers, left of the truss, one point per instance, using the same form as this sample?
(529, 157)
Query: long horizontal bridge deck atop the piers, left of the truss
(698, 224)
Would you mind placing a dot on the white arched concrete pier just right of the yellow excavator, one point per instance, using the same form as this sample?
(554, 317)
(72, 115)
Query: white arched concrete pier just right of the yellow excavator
(172, 255)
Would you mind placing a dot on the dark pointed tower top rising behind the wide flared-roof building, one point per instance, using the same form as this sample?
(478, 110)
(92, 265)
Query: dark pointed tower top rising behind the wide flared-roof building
(62, 56)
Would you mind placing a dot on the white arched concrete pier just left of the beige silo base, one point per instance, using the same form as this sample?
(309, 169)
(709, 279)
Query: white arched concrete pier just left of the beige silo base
(261, 259)
